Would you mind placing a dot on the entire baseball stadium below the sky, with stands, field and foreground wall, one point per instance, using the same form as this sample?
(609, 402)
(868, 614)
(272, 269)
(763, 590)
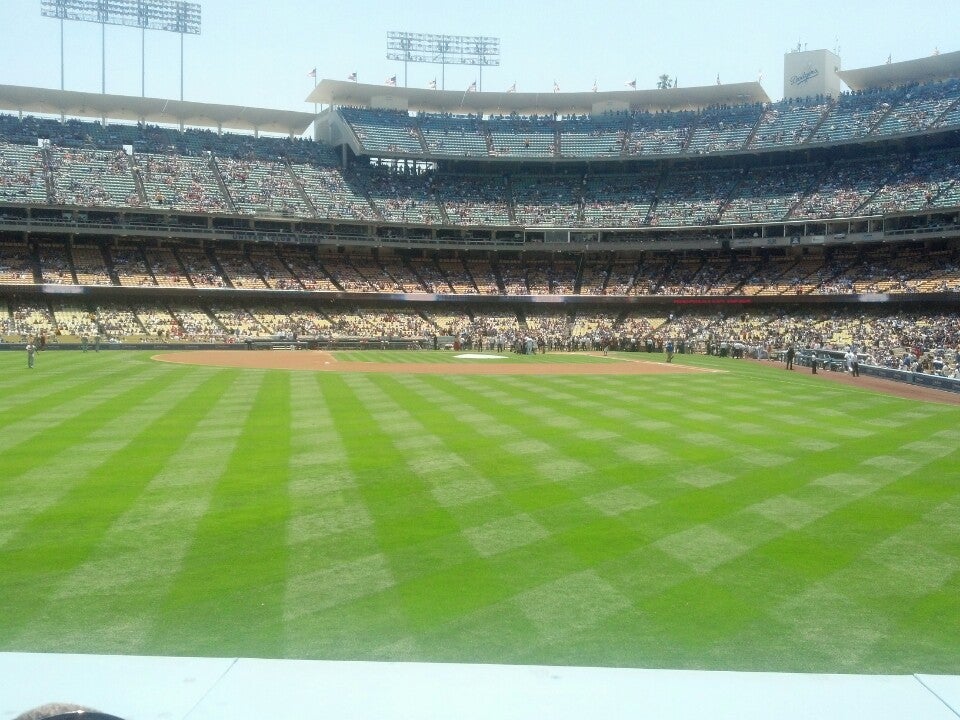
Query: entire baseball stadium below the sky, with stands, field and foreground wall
(437, 403)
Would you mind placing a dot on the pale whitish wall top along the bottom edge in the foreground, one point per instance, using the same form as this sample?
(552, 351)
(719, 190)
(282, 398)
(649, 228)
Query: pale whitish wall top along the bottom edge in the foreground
(152, 688)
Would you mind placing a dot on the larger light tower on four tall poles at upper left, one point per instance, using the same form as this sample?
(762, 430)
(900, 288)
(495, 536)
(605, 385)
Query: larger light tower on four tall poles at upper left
(169, 15)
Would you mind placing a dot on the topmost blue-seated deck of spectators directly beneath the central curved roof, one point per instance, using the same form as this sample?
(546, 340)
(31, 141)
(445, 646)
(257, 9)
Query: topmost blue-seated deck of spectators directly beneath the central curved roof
(722, 129)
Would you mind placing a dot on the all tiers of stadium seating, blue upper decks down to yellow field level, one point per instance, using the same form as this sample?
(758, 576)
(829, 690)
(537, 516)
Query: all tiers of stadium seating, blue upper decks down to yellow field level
(708, 178)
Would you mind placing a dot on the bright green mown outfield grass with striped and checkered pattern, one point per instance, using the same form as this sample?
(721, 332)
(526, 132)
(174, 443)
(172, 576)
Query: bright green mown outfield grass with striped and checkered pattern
(753, 519)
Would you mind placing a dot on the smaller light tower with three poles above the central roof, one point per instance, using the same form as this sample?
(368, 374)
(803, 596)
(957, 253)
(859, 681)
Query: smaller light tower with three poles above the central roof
(440, 50)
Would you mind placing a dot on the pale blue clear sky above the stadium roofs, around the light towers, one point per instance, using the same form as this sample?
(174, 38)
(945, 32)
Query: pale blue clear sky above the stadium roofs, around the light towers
(260, 54)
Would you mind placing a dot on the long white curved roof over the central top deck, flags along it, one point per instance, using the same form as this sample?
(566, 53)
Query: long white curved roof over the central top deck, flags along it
(342, 92)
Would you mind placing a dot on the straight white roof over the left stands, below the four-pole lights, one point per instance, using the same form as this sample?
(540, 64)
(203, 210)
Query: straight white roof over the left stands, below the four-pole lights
(151, 110)
